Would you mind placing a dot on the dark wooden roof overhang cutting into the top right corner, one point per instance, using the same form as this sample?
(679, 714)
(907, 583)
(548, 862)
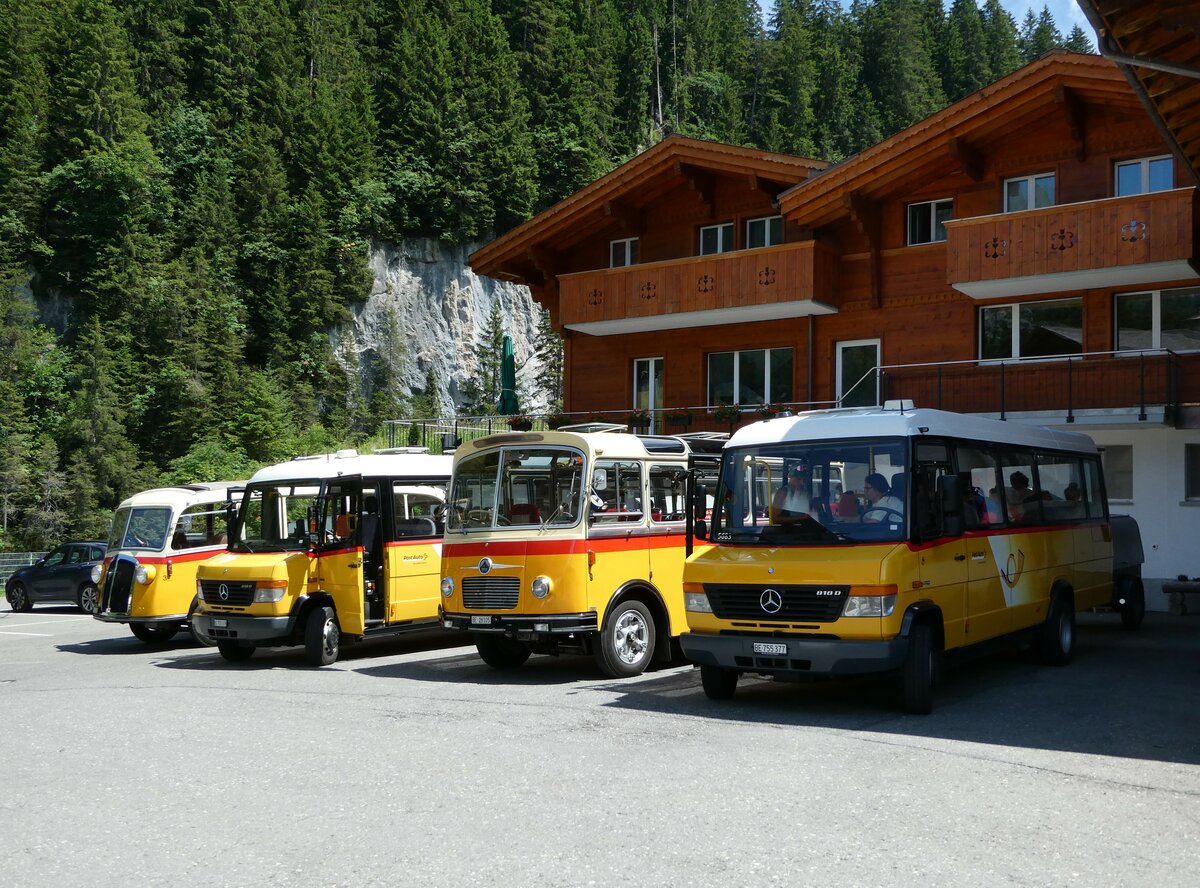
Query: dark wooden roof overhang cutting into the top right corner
(1157, 49)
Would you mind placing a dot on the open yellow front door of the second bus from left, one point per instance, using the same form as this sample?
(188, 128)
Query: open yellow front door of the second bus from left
(340, 553)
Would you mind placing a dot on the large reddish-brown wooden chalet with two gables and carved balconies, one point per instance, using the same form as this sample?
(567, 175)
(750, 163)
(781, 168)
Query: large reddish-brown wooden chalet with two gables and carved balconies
(1029, 254)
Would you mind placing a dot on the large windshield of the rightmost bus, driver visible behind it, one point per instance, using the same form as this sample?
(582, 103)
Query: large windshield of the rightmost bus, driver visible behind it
(813, 493)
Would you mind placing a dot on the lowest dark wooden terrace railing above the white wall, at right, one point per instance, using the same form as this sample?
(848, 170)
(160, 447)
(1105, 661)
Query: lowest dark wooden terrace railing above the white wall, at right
(1137, 383)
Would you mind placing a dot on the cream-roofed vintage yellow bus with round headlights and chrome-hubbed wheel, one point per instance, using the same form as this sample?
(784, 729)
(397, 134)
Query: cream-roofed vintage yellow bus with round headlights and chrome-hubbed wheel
(569, 542)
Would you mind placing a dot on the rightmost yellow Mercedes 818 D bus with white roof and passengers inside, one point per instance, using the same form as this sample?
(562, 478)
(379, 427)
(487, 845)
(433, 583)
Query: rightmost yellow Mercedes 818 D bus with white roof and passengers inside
(949, 531)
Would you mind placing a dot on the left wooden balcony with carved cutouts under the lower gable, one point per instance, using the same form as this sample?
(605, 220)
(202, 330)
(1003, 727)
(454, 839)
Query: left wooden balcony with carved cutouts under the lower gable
(785, 281)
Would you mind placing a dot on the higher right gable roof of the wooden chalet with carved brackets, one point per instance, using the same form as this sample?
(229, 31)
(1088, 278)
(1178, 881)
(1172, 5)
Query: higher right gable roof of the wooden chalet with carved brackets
(952, 139)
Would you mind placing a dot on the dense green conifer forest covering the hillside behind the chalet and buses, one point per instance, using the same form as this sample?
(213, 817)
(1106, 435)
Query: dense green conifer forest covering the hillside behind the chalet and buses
(189, 188)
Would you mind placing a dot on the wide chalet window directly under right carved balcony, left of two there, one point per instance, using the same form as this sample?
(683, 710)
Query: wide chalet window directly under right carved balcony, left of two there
(1049, 329)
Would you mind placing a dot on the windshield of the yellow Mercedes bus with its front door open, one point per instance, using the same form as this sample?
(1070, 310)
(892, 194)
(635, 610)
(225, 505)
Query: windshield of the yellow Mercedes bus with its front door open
(277, 517)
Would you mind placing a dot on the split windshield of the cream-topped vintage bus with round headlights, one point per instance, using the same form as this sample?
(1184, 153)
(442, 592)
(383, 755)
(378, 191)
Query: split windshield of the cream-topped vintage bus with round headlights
(518, 488)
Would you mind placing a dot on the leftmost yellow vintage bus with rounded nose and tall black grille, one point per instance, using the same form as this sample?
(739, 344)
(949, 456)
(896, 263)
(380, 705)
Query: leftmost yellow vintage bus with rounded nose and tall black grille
(157, 542)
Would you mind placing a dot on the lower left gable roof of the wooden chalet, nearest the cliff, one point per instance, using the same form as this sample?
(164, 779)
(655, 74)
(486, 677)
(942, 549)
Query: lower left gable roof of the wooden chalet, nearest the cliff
(623, 193)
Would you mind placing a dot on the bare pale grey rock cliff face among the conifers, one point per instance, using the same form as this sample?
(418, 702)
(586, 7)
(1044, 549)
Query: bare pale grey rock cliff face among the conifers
(443, 309)
